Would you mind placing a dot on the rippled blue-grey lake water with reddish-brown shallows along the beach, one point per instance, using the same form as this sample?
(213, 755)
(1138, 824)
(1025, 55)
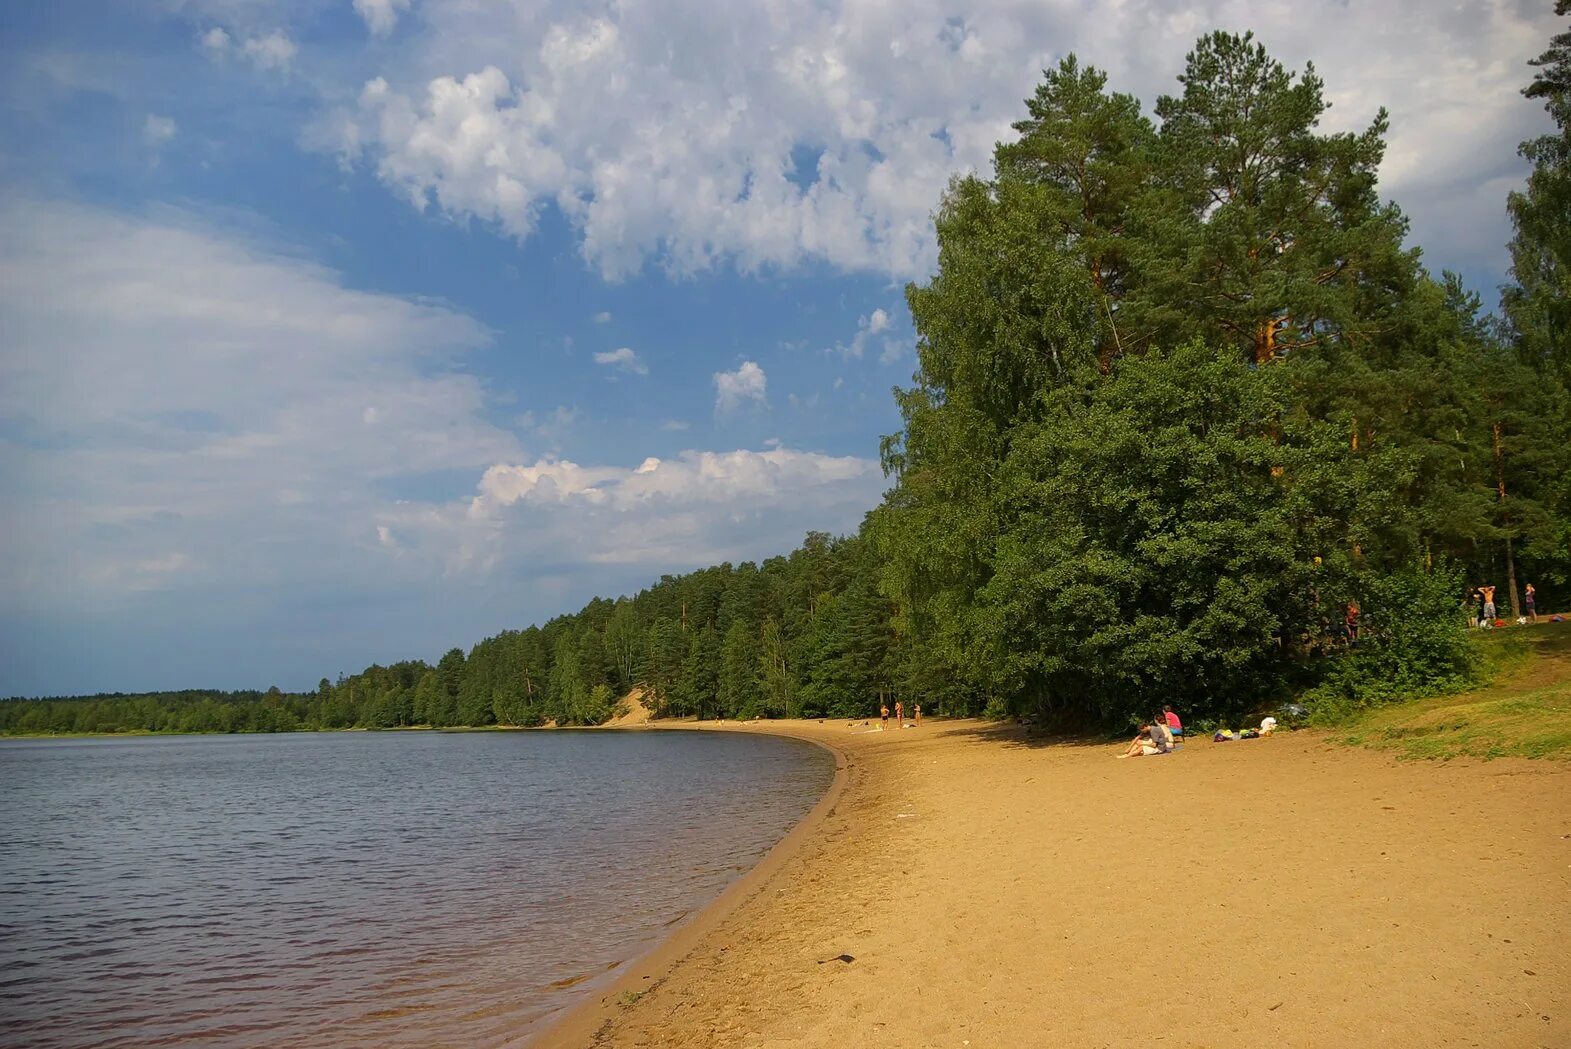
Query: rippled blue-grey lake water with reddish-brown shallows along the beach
(362, 890)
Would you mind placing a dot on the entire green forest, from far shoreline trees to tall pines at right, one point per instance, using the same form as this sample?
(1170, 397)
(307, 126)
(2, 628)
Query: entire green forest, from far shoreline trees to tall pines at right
(1184, 397)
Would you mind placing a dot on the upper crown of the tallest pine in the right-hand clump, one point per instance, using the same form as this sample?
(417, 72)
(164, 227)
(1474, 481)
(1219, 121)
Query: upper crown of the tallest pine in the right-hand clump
(1262, 232)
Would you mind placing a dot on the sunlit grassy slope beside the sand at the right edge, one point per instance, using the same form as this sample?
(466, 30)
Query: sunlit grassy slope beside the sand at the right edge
(1525, 712)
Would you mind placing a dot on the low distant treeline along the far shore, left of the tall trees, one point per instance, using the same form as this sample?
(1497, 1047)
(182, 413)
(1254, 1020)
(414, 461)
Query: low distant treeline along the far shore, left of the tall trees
(805, 635)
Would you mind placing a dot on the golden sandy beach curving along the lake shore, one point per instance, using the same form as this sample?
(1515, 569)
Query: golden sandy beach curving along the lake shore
(1003, 894)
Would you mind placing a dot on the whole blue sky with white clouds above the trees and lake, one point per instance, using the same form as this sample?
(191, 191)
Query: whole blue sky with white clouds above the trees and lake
(345, 332)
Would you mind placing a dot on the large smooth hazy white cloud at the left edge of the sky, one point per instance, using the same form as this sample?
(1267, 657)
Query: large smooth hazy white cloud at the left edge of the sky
(200, 414)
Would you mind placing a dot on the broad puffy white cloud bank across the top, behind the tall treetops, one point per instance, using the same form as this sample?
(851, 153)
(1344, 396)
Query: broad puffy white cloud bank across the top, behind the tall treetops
(775, 134)
